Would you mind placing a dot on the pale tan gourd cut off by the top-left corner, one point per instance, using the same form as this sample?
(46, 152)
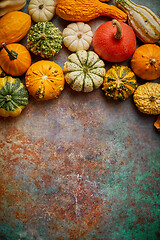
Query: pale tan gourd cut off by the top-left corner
(7, 6)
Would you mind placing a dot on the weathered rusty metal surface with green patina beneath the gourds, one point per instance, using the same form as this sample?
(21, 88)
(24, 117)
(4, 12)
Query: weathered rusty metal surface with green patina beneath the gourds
(80, 166)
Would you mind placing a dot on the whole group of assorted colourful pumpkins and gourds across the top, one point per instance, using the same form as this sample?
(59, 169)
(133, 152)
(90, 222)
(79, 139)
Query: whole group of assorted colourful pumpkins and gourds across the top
(113, 41)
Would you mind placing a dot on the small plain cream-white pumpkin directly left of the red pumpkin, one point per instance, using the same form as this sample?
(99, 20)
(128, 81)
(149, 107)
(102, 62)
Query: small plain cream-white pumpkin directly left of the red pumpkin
(77, 36)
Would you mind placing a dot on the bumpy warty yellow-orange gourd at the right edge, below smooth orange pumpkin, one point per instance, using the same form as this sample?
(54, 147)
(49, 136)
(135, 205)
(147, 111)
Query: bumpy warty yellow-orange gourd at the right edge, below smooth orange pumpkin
(147, 98)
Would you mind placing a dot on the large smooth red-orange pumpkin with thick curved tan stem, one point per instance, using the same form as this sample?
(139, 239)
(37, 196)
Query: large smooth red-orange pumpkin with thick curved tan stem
(114, 41)
